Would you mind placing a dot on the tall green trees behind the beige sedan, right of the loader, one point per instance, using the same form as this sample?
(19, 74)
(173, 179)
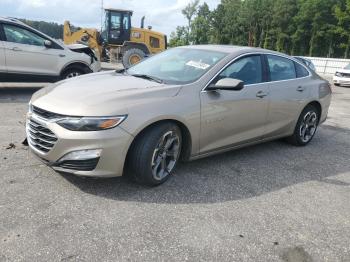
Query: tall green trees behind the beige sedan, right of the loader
(296, 27)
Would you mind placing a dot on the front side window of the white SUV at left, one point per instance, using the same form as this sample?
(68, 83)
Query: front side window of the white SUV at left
(20, 35)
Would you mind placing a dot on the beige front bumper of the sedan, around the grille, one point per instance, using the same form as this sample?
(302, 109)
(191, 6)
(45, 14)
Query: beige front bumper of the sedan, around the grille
(111, 144)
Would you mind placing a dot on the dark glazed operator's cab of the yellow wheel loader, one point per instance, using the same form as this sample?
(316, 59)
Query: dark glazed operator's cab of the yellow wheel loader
(117, 26)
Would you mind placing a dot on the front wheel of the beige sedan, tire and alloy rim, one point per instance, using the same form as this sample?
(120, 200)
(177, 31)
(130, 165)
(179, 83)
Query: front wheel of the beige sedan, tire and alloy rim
(154, 155)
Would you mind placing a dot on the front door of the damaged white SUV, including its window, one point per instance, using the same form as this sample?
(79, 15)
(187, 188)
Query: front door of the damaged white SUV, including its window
(26, 53)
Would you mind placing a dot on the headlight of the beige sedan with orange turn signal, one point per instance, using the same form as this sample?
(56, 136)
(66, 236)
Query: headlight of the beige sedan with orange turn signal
(90, 123)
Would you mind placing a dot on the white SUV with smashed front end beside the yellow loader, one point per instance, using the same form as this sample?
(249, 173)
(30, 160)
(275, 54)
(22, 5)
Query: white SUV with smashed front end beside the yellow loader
(29, 55)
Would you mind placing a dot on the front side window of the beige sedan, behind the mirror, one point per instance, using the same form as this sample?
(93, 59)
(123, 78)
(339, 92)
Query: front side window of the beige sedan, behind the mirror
(247, 69)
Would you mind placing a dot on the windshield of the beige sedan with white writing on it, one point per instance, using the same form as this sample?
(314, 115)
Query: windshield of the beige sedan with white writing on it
(177, 66)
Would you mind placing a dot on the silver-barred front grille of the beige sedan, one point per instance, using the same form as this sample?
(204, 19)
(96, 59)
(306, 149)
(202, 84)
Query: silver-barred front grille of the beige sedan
(40, 137)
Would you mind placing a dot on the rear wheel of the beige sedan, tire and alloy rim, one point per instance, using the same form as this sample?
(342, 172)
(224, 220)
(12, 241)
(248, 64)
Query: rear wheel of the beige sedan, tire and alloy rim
(306, 127)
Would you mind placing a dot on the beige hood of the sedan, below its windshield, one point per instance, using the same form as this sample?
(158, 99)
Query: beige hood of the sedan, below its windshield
(101, 94)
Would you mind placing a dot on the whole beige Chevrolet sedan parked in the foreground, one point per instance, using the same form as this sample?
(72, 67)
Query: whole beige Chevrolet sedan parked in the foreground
(183, 104)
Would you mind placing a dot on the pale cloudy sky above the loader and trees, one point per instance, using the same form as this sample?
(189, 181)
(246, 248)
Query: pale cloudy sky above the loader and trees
(162, 15)
